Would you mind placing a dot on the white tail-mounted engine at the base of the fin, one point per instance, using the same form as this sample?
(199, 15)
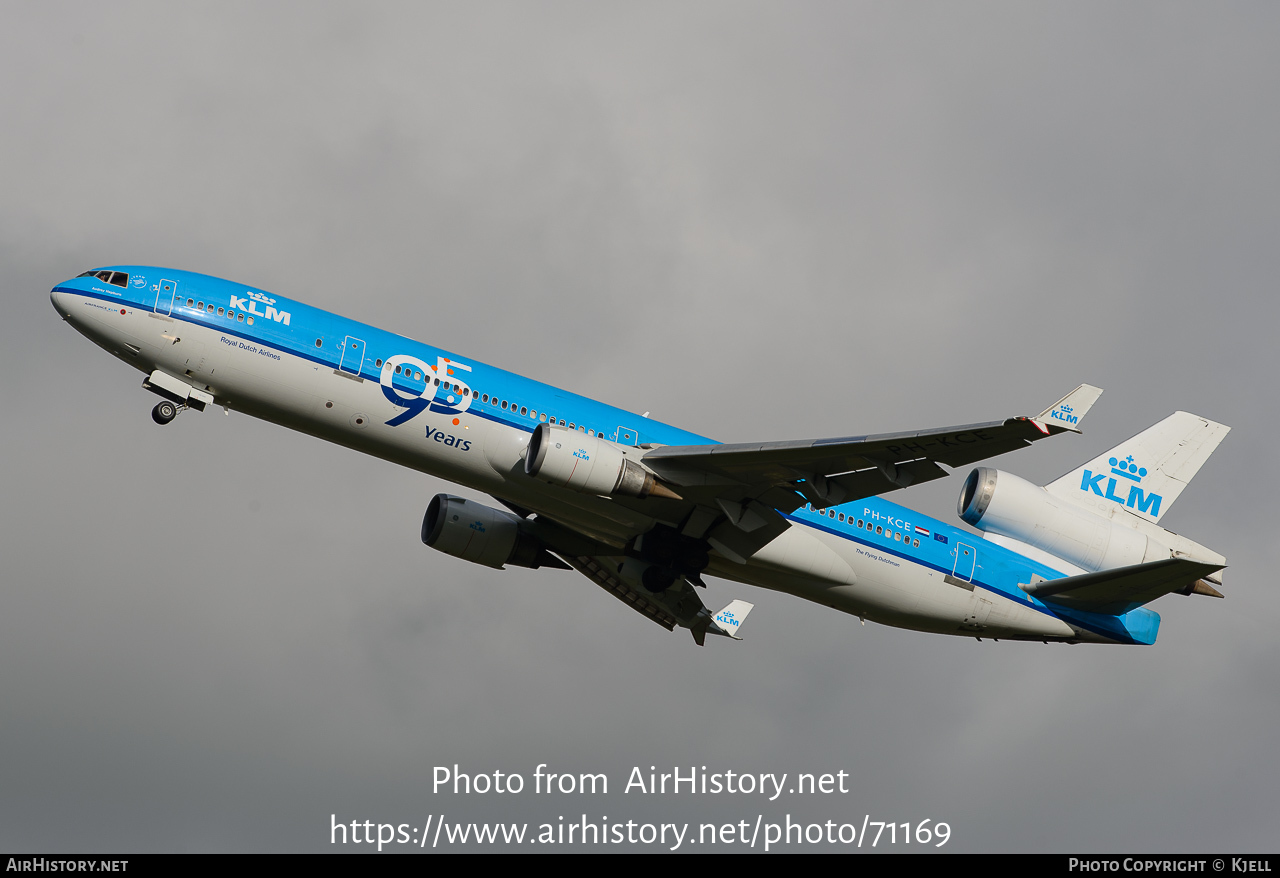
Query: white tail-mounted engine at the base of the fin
(999, 502)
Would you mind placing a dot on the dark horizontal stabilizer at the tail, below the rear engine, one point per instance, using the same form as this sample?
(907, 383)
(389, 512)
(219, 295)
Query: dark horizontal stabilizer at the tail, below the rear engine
(1117, 592)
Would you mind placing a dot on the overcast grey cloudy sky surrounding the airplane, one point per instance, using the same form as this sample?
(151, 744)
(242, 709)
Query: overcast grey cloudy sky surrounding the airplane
(755, 221)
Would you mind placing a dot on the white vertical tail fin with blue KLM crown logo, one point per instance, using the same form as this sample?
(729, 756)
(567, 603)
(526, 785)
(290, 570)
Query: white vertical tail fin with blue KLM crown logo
(1142, 477)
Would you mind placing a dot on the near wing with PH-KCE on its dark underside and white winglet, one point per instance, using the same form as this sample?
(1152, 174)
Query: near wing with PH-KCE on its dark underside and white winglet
(751, 484)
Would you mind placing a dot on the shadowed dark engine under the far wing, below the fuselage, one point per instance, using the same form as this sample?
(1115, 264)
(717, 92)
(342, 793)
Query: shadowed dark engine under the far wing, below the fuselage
(481, 534)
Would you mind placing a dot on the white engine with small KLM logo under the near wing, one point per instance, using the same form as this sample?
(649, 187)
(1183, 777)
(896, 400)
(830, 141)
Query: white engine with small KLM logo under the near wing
(591, 465)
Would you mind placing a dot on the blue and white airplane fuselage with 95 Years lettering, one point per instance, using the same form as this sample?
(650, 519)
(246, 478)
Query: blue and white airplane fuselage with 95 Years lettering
(469, 423)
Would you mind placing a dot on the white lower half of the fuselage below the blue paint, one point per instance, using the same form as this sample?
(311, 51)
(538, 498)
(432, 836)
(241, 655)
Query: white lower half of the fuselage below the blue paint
(487, 456)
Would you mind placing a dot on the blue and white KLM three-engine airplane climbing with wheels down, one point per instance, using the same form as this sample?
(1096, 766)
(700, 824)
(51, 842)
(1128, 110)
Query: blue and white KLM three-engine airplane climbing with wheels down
(647, 511)
